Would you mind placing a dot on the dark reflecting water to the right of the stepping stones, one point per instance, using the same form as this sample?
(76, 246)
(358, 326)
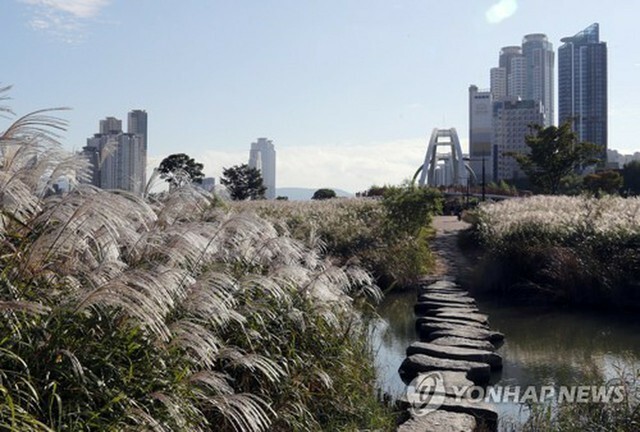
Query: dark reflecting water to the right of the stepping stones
(551, 346)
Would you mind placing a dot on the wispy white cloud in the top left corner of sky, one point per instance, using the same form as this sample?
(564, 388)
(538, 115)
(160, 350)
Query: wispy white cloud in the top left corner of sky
(63, 18)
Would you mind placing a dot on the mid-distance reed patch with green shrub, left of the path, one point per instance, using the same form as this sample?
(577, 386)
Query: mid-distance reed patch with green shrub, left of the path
(387, 236)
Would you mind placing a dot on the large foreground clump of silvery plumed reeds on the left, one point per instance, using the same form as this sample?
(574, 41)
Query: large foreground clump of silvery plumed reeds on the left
(172, 313)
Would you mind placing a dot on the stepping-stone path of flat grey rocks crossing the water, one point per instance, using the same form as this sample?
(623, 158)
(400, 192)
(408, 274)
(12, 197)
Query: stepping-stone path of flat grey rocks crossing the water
(457, 344)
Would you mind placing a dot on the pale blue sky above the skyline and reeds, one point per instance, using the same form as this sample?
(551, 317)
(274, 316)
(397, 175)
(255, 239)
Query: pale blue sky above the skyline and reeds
(348, 90)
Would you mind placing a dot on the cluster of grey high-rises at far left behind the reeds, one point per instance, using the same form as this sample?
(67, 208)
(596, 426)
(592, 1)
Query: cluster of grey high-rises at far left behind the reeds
(118, 159)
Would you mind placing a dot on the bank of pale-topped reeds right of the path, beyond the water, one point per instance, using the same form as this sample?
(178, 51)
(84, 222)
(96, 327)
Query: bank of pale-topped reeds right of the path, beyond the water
(581, 250)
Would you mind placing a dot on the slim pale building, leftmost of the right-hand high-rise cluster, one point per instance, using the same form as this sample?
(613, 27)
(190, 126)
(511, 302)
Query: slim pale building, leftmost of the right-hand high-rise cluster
(480, 132)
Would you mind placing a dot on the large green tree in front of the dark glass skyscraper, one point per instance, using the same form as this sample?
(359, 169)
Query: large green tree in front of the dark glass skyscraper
(555, 153)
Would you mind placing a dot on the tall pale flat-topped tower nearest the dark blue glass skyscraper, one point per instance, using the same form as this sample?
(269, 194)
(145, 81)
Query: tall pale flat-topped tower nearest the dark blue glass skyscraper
(539, 84)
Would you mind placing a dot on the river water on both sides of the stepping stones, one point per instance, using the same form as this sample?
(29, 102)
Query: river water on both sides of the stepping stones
(543, 346)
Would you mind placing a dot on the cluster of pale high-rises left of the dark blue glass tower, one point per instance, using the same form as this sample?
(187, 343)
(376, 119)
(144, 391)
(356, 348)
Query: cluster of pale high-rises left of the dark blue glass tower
(521, 93)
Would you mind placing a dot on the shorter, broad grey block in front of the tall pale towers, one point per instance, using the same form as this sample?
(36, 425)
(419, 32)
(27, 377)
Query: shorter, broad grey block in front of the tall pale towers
(511, 120)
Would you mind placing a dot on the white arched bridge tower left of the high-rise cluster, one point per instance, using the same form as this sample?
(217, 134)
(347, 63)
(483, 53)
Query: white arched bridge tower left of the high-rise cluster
(448, 138)
